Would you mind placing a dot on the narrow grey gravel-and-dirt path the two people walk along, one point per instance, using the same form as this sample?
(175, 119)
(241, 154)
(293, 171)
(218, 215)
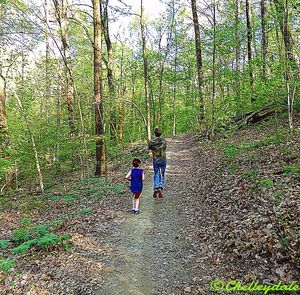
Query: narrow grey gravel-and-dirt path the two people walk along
(149, 256)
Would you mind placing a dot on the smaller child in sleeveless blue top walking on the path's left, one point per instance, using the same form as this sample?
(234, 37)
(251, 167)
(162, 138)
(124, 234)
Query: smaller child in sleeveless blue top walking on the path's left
(136, 177)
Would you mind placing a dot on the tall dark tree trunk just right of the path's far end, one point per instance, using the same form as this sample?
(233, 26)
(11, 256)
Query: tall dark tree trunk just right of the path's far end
(199, 61)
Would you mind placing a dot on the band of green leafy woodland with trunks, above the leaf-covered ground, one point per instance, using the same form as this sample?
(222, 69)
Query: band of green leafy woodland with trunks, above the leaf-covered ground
(74, 90)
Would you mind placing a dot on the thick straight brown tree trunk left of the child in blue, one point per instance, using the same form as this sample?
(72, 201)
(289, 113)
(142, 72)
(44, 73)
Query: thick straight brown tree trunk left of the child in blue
(100, 147)
